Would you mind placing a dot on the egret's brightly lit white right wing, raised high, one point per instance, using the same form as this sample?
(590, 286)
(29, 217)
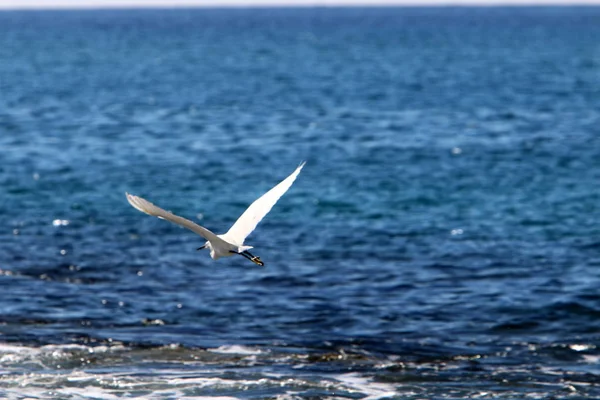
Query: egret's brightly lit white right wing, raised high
(257, 210)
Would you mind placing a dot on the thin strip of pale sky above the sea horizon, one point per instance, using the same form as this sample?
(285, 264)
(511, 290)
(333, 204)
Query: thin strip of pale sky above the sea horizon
(17, 4)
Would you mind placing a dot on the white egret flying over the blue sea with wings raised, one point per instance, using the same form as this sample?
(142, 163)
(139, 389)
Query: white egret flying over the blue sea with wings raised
(232, 242)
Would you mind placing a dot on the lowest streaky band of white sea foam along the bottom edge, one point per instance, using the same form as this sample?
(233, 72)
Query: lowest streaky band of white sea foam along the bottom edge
(173, 383)
